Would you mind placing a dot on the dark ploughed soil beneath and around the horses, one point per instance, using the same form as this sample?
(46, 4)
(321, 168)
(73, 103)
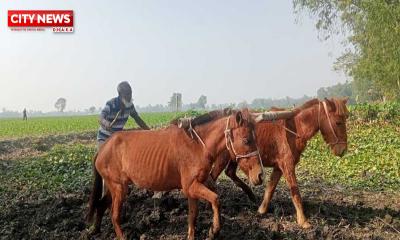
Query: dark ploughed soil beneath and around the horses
(334, 211)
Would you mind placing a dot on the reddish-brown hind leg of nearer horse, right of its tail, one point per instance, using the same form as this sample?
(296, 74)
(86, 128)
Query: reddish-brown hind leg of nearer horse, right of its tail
(118, 192)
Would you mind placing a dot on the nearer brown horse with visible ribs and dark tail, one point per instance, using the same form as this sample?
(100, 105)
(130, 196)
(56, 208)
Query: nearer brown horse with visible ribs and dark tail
(162, 160)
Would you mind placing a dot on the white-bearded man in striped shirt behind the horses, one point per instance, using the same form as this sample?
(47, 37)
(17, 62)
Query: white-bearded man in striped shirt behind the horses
(116, 112)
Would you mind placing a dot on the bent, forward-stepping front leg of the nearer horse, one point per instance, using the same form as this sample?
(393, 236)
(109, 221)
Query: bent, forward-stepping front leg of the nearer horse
(198, 190)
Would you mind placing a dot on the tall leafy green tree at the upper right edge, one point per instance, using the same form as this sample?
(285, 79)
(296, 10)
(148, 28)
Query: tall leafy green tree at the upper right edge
(372, 57)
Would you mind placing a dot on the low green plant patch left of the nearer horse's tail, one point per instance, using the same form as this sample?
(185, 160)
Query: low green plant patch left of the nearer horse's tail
(62, 169)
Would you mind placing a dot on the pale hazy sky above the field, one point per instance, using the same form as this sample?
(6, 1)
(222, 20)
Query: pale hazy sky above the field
(230, 51)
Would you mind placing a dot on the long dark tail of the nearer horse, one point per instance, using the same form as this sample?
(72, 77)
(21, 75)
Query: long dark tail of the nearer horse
(96, 192)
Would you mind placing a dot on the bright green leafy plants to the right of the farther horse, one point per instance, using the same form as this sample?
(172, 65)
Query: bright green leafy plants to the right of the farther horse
(372, 161)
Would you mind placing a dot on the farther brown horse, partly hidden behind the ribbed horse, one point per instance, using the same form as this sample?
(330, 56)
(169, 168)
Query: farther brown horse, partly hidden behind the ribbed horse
(281, 144)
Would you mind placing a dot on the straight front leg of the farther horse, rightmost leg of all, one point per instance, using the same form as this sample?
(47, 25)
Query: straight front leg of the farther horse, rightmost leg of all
(290, 175)
